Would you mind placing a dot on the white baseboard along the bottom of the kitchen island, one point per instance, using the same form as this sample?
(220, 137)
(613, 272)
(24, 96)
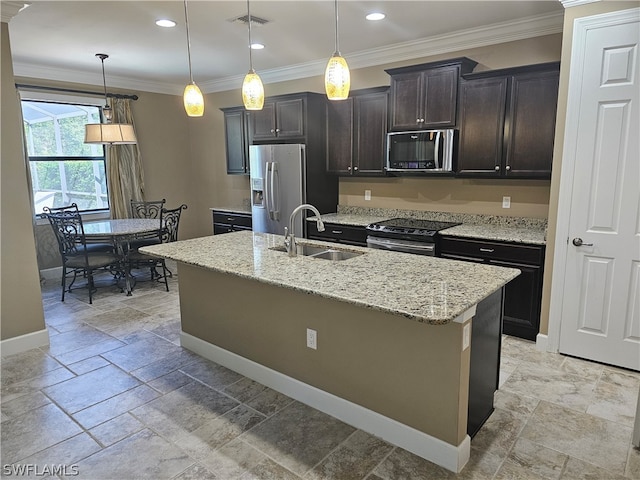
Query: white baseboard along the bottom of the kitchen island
(451, 457)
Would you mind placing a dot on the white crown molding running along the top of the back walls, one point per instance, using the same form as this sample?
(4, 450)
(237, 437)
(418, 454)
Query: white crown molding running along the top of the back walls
(453, 42)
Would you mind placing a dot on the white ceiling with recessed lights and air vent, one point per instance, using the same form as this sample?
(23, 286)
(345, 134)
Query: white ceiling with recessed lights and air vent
(58, 40)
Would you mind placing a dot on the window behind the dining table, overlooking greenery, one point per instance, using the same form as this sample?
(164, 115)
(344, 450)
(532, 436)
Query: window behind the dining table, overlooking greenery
(64, 169)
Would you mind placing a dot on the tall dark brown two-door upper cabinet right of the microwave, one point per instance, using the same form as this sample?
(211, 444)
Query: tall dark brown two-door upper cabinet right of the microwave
(507, 122)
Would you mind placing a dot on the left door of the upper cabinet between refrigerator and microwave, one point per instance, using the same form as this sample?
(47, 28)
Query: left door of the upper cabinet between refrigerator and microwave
(339, 136)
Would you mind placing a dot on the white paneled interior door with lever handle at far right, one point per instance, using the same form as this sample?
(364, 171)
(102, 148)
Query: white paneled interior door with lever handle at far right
(600, 278)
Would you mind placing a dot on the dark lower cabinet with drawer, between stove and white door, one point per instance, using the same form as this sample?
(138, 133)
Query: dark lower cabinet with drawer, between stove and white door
(523, 295)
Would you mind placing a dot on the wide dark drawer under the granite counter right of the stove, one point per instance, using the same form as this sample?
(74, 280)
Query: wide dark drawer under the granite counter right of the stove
(526, 254)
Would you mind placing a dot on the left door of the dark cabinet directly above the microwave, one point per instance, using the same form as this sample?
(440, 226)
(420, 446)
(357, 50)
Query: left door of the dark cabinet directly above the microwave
(406, 95)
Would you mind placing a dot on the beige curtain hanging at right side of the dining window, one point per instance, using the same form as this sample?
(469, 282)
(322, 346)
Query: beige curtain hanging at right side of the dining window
(125, 177)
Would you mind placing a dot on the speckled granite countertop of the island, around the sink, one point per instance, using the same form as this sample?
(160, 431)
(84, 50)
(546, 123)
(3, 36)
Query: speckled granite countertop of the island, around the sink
(421, 288)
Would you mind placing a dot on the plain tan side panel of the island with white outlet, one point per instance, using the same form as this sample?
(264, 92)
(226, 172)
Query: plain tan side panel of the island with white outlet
(409, 371)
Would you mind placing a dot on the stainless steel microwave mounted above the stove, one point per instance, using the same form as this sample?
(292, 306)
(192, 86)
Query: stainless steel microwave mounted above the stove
(421, 151)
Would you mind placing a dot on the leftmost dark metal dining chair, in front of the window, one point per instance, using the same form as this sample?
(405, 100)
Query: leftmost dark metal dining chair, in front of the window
(77, 258)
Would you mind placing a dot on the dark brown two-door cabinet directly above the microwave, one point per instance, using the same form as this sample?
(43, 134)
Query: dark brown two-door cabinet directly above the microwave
(425, 96)
